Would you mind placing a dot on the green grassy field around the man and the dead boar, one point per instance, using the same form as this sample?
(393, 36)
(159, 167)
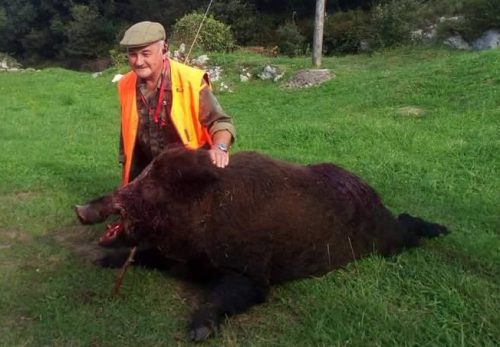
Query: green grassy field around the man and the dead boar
(422, 126)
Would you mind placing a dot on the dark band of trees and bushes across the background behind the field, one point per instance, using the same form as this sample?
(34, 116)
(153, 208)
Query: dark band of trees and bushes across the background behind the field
(61, 32)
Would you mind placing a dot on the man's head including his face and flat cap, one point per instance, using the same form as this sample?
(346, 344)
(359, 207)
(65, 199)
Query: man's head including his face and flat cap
(145, 45)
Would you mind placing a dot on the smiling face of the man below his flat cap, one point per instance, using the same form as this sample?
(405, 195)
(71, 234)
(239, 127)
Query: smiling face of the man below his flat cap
(147, 61)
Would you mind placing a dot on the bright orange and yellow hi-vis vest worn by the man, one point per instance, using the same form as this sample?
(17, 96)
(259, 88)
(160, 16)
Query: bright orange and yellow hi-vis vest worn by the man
(186, 86)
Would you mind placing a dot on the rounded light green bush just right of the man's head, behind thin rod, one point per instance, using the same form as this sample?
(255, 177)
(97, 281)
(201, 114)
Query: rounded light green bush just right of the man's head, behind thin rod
(215, 36)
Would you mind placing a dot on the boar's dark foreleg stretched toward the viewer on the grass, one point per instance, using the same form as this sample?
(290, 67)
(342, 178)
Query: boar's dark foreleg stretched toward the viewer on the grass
(229, 294)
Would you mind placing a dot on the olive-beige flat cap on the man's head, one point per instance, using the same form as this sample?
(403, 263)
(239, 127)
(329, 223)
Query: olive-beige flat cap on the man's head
(142, 34)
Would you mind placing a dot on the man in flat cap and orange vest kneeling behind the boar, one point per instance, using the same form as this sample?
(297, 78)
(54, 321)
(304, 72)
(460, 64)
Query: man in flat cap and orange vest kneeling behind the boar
(165, 103)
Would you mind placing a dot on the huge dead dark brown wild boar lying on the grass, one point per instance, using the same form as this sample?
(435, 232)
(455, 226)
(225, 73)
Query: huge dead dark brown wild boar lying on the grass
(257, 222)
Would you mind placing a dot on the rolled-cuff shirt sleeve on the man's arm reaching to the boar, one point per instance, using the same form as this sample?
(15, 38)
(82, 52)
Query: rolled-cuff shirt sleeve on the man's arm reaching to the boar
(212, 115)
